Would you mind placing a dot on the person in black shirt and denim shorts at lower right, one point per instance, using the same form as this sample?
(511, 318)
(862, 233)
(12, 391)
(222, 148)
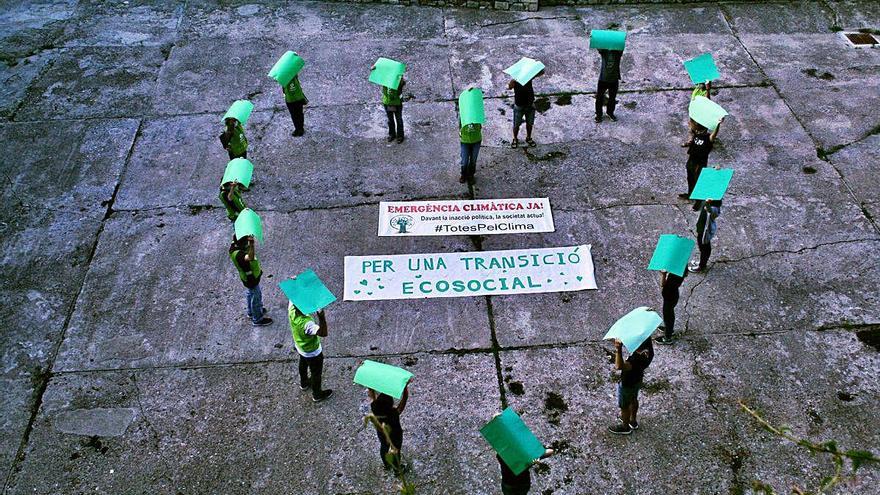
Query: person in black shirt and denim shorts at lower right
(632, 372)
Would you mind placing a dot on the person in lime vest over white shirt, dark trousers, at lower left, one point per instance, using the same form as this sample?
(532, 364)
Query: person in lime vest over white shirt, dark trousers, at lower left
(307, 341)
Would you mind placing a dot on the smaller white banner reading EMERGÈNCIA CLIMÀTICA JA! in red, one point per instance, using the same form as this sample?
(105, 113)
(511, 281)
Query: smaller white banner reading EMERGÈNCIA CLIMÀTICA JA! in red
(476, 217)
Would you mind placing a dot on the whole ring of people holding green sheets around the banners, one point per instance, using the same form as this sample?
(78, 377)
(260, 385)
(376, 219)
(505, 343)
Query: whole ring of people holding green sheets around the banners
(517, 449)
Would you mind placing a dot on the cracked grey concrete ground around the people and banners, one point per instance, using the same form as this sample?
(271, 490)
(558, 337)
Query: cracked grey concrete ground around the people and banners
(128, 366)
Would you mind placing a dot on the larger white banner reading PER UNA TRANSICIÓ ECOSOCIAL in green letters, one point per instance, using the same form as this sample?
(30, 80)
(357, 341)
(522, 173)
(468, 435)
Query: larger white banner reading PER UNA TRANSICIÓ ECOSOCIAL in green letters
(477, 273)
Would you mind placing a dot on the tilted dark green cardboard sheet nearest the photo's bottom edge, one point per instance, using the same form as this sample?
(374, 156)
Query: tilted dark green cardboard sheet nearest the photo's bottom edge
(513, 440)
